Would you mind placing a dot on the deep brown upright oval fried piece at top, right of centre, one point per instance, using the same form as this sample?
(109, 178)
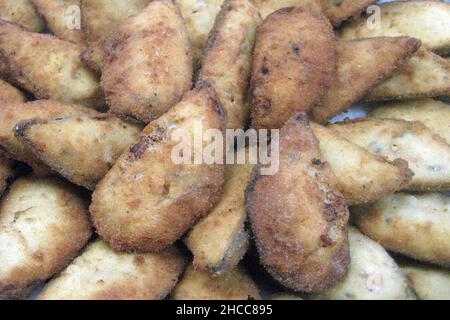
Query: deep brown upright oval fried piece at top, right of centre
(293, 65)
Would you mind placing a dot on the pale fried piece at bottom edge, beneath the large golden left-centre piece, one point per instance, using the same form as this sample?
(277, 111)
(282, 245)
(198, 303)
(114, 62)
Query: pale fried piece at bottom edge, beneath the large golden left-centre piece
(100, 273)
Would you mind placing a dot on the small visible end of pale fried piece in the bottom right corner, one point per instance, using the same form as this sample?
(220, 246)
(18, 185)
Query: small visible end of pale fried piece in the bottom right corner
(429, 283)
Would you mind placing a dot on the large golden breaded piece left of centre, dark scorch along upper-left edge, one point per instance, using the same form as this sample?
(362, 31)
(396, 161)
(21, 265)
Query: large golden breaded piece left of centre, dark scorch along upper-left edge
(147, 201)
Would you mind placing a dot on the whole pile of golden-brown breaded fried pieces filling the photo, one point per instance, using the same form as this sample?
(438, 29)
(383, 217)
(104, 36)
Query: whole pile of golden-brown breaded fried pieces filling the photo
(93, 207)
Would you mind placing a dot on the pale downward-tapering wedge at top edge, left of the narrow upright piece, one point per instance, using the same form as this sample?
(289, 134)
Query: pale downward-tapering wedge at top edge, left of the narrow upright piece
(199, 17)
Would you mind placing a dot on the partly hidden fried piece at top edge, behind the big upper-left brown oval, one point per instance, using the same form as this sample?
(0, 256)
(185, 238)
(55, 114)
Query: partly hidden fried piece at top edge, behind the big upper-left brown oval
(99, 19)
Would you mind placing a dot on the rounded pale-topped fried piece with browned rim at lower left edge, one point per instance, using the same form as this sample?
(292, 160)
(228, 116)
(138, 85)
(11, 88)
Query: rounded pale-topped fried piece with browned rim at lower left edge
(43, 226)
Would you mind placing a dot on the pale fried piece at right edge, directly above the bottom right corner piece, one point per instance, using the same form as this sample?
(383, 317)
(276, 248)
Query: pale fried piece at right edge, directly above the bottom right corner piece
(417, 226)
